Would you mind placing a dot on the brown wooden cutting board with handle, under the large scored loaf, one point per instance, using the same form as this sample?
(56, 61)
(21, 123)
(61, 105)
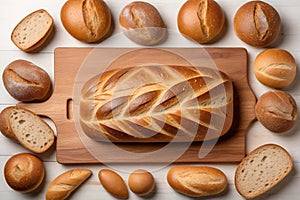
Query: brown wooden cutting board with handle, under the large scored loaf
(74, 66)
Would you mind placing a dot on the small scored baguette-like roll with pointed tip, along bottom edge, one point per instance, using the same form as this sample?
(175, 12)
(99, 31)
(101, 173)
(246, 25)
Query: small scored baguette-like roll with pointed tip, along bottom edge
(63, 185)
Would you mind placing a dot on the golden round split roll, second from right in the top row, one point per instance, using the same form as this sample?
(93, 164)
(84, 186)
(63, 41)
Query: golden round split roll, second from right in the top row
(201, 20)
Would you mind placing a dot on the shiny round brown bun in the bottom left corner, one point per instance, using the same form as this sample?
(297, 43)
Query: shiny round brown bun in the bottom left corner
(24, 172)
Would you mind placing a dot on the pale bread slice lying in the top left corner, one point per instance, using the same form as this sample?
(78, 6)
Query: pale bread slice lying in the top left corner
(32, 31)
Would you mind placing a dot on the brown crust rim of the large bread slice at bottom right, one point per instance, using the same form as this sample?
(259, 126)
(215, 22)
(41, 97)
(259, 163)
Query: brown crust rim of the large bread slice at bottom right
(270, 186)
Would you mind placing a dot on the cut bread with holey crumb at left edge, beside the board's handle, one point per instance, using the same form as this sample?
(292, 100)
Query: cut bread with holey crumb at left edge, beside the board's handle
(27, 128)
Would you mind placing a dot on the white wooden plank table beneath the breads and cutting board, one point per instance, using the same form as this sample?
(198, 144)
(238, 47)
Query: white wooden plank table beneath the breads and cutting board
(12, 11)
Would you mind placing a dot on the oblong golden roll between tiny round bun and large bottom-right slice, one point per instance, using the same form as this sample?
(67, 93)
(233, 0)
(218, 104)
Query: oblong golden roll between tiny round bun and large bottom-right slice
(197, 181)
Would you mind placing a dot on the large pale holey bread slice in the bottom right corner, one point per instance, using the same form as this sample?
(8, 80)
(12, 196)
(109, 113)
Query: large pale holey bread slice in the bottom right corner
(262, 169)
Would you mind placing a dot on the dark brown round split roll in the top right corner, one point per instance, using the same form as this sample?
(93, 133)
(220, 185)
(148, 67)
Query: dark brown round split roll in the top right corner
(257, 24)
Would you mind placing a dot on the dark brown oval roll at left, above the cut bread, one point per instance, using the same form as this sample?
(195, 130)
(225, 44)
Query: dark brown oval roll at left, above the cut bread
(26, 81)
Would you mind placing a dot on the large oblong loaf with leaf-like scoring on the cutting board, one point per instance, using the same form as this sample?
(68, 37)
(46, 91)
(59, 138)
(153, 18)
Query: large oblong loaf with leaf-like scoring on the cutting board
(157, 104)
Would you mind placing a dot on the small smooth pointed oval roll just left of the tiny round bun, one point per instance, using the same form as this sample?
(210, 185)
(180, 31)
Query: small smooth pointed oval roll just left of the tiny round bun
(113, 183)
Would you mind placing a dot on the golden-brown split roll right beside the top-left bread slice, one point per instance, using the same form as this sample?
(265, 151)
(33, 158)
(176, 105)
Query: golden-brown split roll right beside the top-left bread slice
(87, 21)
